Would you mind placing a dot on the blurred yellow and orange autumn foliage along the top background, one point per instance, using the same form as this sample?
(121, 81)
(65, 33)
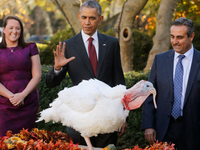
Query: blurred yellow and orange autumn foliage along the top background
(43, 17)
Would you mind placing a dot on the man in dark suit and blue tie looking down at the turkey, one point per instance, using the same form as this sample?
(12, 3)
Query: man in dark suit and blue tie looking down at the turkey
(177, 118)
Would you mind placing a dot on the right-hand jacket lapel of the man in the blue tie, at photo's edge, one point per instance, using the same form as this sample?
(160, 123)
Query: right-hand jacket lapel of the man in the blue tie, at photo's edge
(193, 71)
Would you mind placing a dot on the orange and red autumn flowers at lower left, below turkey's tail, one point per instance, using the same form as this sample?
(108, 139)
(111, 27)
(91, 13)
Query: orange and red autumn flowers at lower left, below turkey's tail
(37, 140)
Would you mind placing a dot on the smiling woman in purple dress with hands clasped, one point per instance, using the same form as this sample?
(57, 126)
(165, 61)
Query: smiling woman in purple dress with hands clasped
(20, 73)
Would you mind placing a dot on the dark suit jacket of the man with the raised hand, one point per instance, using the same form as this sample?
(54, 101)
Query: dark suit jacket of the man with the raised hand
(109, 68)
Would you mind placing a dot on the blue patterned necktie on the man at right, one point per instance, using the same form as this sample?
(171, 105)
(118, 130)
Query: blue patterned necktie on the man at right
(178, 82)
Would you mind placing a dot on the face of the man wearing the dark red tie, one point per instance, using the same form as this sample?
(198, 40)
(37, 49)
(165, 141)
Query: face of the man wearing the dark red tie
(89, 20)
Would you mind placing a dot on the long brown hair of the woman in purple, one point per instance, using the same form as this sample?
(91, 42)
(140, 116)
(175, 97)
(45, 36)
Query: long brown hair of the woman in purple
(21, 41)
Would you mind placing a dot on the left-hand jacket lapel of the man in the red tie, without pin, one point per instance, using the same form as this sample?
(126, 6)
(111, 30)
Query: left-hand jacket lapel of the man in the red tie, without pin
(81, 51)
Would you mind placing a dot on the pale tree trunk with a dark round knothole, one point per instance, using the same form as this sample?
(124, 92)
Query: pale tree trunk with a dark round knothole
(124, 26)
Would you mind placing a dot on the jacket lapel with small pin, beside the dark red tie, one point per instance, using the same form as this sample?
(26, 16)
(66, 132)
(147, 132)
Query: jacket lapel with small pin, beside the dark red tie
(103, 44)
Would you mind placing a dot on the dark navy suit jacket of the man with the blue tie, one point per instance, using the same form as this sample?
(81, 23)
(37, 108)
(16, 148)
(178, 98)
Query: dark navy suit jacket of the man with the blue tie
(162, 78)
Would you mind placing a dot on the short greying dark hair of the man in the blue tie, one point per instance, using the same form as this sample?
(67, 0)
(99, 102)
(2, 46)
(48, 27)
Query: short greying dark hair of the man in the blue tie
(184, 21)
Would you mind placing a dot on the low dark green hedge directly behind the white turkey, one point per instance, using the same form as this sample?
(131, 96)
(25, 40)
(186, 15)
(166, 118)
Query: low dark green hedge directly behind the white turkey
(133, 136)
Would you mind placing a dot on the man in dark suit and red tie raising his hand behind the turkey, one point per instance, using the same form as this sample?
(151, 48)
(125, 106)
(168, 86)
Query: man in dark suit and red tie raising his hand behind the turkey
(75, 58)
